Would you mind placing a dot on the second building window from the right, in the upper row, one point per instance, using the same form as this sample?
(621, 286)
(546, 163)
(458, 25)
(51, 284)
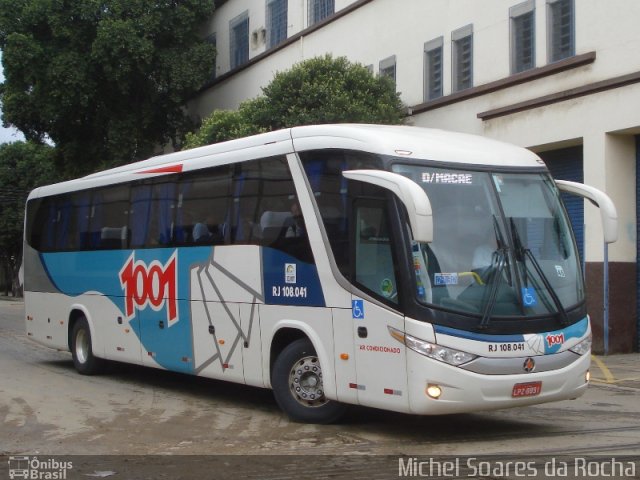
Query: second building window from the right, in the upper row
(522, 20)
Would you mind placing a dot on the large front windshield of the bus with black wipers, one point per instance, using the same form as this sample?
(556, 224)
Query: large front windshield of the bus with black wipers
(501, 246)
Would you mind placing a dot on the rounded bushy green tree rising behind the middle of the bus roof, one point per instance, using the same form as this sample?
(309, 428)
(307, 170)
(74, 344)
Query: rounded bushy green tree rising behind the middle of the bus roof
(315, 91)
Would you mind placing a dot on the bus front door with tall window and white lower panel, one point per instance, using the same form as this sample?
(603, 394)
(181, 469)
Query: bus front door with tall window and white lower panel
(380, 359)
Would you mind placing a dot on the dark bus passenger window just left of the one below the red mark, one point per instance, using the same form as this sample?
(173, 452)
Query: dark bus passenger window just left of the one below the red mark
(108, 228)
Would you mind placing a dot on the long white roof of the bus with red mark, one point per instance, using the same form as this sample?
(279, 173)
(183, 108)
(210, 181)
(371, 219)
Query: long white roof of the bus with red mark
(411, 143)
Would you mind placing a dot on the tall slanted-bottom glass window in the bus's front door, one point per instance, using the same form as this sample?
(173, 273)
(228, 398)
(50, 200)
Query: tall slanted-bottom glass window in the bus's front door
(374, 260)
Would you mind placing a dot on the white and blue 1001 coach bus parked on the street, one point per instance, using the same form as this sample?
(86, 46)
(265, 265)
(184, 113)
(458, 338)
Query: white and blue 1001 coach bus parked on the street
(400, 268)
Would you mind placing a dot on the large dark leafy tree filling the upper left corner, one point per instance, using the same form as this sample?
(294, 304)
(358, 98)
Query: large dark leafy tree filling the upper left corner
(105, 80)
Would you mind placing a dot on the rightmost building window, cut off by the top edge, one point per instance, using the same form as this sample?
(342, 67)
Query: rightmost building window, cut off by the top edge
(561, 29)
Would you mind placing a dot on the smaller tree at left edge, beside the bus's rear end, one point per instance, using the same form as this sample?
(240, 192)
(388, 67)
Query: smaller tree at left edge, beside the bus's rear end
(23, 167)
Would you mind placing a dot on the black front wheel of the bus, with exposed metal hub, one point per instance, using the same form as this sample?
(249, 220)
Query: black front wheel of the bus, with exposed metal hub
(297, 385)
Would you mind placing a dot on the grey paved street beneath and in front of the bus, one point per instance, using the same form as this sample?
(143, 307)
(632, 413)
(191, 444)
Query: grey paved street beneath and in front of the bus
(48, 409)
